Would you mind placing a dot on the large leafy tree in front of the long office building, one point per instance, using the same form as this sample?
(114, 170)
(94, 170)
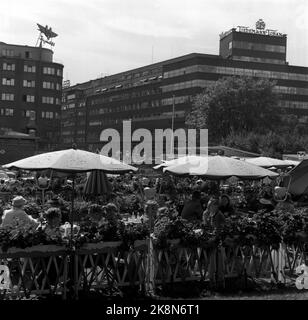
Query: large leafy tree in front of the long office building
(235, 104)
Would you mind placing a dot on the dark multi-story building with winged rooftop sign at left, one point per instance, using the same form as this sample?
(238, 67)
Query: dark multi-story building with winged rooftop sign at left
(30, 93)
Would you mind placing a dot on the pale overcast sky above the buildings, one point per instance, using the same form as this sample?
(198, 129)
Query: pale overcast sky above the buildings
(100, 37)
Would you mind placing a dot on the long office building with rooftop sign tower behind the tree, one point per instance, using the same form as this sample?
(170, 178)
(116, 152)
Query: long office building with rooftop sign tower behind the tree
(153, 95)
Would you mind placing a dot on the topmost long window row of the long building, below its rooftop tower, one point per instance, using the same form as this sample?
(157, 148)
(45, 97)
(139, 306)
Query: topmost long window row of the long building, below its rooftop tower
(236, 71)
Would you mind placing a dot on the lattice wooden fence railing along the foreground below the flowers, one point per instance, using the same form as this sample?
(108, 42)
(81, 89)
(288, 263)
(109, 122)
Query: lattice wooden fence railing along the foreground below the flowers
(48, 269)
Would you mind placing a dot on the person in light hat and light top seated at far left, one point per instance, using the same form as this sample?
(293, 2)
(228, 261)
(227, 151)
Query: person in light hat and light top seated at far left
(17, 216)
